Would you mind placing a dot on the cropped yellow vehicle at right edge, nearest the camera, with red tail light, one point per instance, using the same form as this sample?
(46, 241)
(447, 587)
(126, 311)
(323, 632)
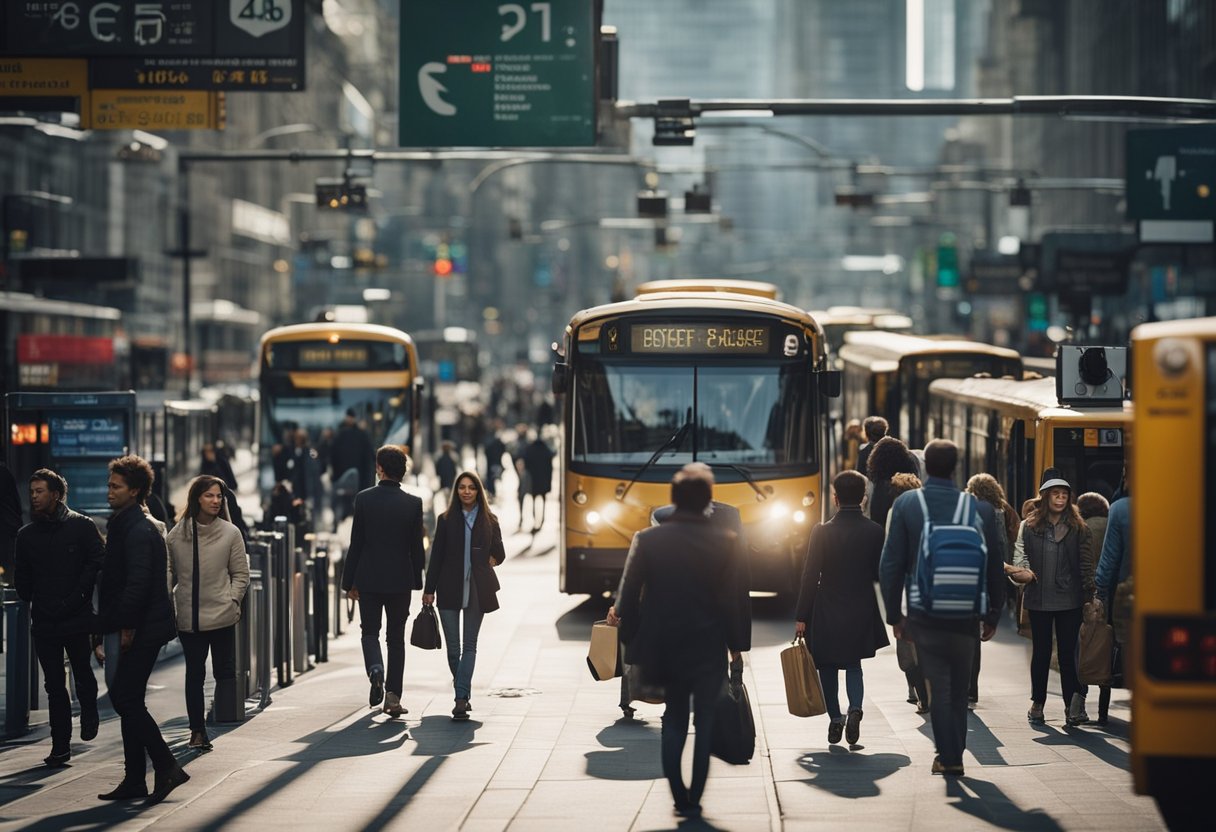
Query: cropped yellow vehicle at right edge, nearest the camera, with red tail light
(1172, 665)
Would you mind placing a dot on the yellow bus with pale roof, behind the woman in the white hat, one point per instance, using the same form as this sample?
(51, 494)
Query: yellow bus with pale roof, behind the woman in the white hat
(1015, 430)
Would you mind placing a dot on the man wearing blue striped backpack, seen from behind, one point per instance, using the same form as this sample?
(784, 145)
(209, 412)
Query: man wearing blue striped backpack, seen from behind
(945, 552)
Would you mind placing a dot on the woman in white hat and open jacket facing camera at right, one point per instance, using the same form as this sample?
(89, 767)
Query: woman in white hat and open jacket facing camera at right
(1052, 544)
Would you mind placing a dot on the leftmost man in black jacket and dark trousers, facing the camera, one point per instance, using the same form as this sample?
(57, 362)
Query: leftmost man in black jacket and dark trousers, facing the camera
(58, 558)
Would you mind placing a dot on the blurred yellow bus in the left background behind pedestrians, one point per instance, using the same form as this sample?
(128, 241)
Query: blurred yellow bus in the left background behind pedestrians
(311, 375)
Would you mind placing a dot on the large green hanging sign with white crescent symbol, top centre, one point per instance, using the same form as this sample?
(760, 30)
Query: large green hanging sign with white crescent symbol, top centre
(486, 74)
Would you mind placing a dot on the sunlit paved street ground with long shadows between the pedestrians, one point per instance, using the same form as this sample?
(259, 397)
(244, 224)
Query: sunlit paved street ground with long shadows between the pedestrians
(547, 747)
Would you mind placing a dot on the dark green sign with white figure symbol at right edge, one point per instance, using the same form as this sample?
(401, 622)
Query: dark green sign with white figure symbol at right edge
(1172, 173)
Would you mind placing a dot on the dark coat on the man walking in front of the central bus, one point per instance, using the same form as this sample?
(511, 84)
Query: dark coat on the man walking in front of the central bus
(694, 577)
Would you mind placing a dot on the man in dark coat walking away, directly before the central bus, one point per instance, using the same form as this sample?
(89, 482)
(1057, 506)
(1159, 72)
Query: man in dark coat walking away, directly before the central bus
(694, 576)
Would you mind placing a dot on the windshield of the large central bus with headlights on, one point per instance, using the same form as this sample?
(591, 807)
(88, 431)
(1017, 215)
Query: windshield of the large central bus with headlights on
(747, 415)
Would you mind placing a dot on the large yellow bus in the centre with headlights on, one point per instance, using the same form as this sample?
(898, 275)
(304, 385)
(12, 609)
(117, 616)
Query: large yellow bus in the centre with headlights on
(729, 379)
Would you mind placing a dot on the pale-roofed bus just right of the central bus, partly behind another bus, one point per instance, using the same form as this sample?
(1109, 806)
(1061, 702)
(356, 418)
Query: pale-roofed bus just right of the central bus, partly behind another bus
(888, 375)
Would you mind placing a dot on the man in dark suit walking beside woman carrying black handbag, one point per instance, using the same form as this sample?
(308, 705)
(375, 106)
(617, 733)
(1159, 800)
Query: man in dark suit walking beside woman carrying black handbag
(385, 564)
